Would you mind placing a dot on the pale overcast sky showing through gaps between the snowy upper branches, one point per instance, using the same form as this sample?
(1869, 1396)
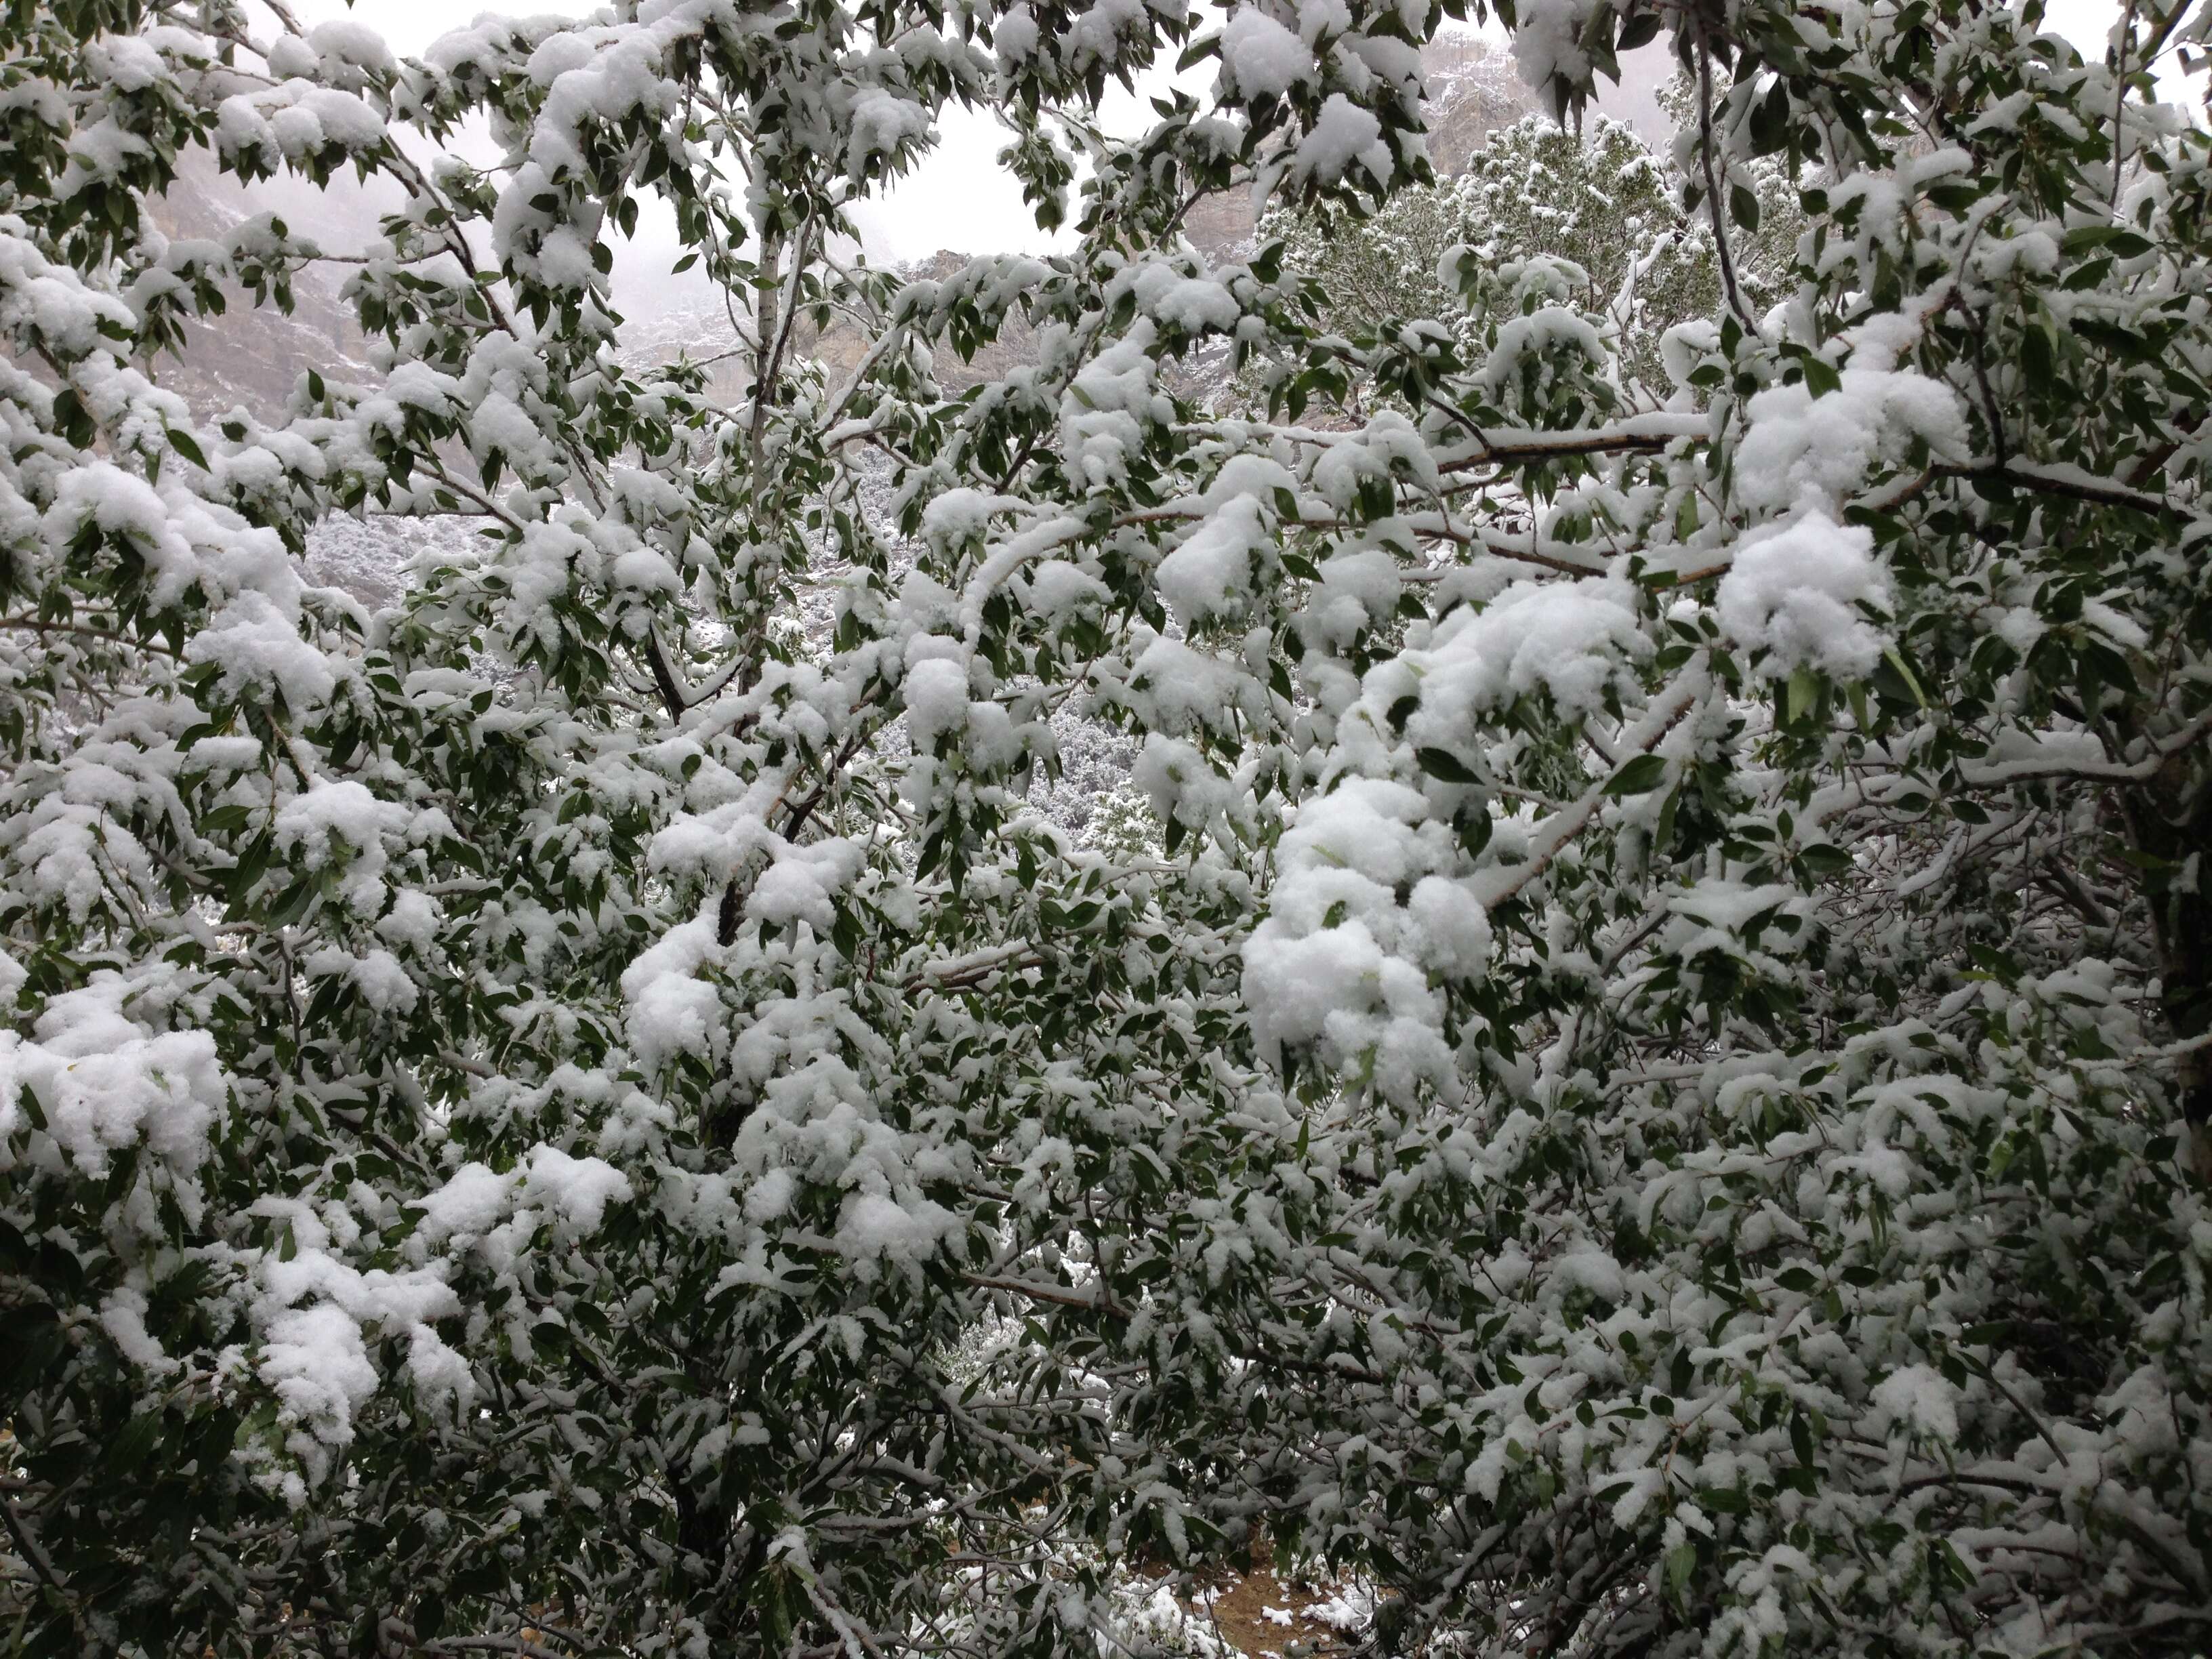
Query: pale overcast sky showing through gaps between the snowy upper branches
(959, 198)
